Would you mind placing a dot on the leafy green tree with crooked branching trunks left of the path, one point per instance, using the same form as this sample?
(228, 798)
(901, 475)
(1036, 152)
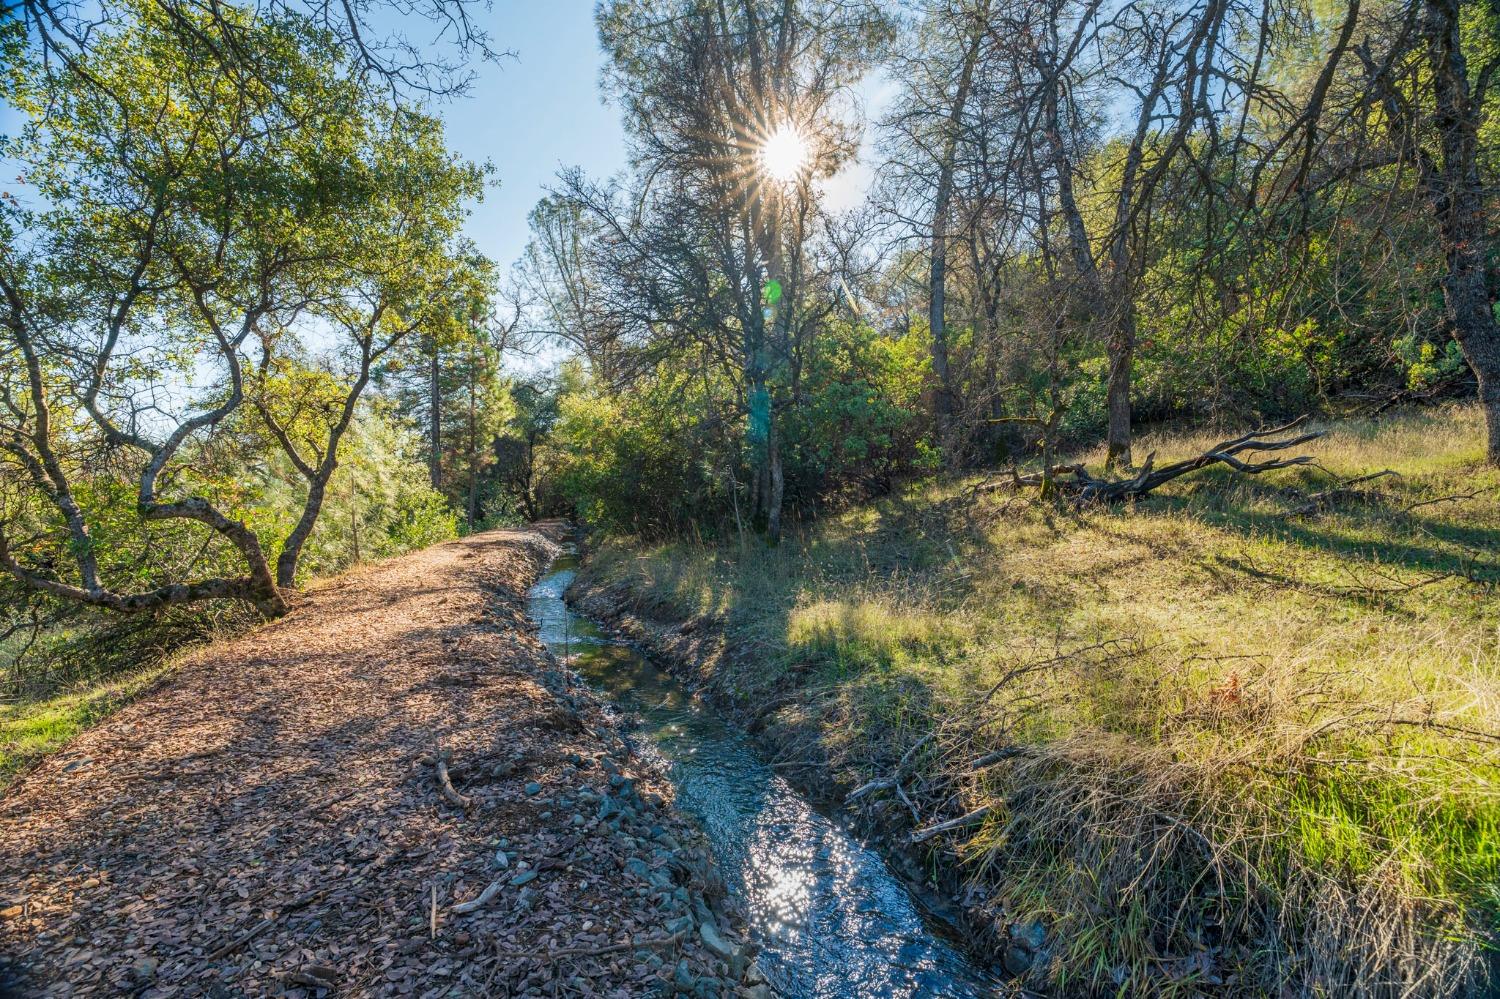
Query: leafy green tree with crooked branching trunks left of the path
(187, 217)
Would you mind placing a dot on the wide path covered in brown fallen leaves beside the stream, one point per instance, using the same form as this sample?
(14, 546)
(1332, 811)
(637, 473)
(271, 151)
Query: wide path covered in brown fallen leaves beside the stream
(269, 821)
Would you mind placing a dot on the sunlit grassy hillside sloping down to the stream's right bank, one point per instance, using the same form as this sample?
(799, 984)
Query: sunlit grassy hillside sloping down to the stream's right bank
(1223, 743)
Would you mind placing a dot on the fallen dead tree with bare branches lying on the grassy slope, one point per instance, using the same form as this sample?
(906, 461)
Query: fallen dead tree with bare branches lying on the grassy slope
(1076, 484)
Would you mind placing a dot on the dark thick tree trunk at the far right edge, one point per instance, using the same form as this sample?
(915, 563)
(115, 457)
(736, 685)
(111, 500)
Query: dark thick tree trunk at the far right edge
(1457, 196)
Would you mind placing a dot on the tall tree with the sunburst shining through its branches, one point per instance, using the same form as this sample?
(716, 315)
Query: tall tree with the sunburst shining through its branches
(716, 245)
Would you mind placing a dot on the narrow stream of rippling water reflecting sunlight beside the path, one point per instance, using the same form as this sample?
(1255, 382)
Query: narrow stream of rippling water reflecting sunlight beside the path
(832, 917)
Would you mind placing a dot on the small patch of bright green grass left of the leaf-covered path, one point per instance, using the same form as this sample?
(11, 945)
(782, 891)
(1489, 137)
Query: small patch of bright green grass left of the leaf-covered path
(32, 730)
